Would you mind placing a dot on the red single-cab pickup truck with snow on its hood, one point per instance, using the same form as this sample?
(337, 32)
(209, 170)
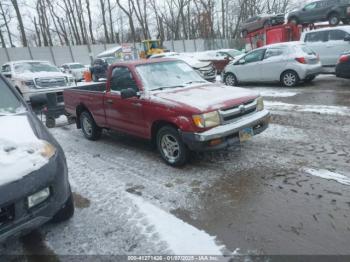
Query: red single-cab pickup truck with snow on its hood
(167, 102)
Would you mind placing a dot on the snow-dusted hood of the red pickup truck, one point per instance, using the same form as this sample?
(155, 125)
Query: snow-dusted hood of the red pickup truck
(205, 98)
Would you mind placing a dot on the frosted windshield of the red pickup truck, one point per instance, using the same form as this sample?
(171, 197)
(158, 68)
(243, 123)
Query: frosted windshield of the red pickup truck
(167, 75)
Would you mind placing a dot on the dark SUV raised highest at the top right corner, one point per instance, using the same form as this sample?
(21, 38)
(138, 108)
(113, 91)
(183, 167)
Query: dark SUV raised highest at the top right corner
(332, 11)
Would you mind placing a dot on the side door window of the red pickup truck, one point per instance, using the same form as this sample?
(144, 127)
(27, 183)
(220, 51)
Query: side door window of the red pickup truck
(122, 79)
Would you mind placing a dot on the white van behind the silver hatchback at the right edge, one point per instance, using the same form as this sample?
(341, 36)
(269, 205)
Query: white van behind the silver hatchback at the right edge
(329, 43)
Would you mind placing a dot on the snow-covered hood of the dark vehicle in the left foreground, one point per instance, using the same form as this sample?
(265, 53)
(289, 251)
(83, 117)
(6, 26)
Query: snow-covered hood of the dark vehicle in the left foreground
(20, 149)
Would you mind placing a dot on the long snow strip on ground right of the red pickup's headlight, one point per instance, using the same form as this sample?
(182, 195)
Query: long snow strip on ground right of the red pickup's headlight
(320, 109)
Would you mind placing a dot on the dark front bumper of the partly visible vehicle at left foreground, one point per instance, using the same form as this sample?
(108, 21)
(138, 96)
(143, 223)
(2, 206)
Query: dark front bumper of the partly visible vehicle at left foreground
(53, 175)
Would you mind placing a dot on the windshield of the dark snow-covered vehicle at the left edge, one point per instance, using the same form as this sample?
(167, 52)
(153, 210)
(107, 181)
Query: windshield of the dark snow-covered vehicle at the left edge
(9, 103)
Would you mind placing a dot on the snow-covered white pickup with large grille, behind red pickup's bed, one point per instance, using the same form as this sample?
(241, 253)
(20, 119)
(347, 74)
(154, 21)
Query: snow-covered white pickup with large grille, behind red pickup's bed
(36, 77)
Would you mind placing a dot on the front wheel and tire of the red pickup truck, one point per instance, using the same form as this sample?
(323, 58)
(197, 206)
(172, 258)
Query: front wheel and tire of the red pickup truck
(171, 147)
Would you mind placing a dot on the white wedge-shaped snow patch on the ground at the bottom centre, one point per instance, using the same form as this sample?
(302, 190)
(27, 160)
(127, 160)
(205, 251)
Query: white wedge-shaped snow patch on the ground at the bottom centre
(181, 237)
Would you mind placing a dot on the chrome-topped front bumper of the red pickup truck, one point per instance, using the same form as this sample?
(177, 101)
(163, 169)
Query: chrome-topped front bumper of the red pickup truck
(228, 134)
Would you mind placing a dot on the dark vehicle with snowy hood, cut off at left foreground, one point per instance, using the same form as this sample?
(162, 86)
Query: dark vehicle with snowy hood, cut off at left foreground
(34, 186)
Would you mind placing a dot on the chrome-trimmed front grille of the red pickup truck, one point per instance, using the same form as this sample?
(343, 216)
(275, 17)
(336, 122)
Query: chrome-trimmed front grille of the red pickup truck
(229, 115)
